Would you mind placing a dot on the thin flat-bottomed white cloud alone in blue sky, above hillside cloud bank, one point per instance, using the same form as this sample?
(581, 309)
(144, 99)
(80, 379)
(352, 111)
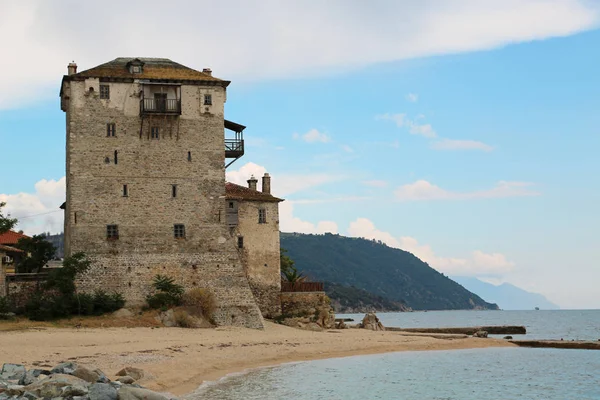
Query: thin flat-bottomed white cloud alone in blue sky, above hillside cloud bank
(423, 190)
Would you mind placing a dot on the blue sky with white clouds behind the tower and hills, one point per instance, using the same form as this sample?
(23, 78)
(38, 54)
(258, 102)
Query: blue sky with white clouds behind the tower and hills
(463, 131)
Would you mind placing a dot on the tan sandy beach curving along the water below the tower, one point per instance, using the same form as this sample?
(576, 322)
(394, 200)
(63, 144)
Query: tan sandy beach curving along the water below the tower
(182, 359)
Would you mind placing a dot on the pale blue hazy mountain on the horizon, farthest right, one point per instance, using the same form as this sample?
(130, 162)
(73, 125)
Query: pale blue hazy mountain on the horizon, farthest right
(507, 296)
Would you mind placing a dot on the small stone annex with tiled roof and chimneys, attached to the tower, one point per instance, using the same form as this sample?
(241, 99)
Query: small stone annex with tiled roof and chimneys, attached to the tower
(253, 218)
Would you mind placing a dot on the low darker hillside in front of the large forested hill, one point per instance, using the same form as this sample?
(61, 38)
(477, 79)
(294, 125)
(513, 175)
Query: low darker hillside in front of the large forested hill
(350, 300)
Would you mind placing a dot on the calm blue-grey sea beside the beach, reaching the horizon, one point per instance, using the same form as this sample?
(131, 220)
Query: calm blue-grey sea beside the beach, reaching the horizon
(492, 373)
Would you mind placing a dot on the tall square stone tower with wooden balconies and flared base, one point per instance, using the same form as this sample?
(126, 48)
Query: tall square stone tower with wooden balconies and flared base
(145, 174)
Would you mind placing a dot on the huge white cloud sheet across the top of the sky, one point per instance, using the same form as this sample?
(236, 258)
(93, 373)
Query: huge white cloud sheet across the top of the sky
(262, 39)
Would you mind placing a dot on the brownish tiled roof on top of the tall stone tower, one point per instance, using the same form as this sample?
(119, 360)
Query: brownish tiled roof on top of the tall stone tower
(153, 69)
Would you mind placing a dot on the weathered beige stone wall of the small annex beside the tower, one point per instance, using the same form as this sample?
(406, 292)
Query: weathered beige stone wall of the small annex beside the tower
(260, 254)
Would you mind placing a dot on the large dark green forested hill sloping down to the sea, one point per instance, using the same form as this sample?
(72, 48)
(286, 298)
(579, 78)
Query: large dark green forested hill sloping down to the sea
(381, 270)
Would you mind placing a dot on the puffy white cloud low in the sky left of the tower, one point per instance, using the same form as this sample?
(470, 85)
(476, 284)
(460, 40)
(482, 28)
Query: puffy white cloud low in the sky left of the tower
(38, 212)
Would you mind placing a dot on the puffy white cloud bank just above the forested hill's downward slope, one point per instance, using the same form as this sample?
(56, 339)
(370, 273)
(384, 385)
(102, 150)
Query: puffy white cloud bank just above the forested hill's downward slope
(477, 263)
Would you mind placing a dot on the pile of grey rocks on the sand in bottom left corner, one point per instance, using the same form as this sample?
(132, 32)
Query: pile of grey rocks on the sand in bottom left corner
(73, 381)
